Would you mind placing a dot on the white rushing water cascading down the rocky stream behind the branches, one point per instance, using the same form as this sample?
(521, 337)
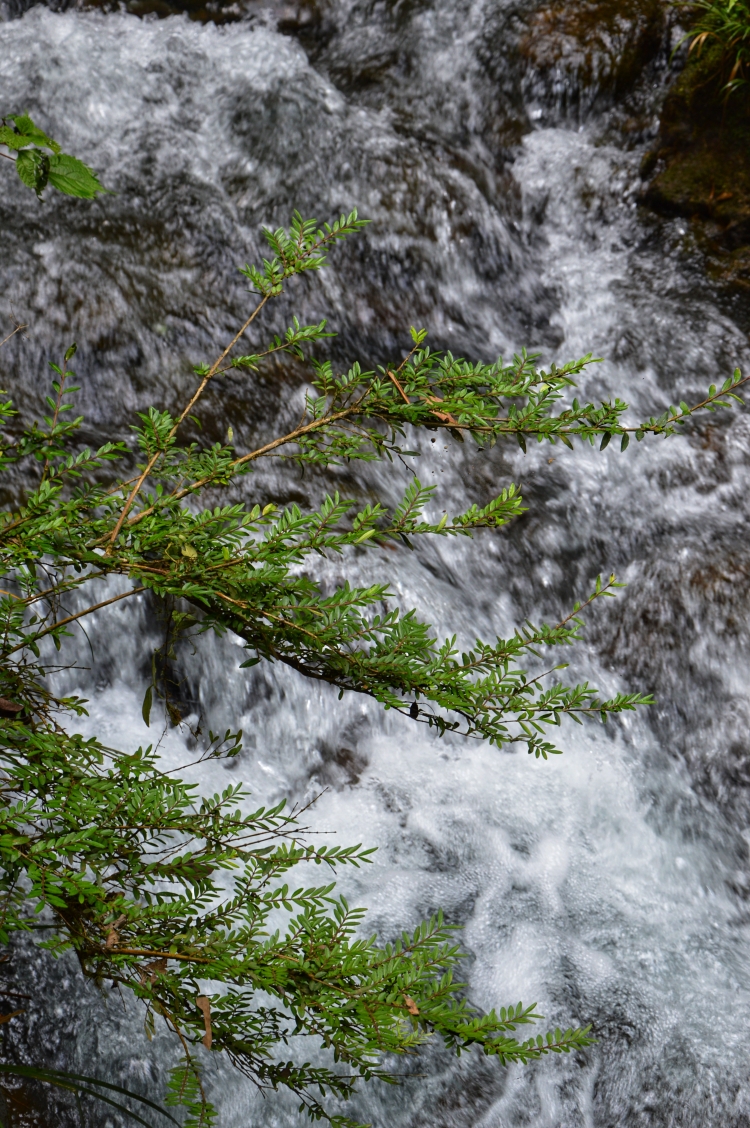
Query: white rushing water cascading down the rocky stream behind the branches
(612, 885)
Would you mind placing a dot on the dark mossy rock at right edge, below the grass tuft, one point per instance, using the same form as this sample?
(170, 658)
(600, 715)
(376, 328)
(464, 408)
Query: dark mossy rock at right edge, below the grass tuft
(701, 168)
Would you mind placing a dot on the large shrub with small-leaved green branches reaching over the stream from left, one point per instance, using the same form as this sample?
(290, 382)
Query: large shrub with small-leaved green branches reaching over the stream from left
(161, 891)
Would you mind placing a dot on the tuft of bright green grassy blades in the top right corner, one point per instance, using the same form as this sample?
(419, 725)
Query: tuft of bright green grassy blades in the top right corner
(725, 25)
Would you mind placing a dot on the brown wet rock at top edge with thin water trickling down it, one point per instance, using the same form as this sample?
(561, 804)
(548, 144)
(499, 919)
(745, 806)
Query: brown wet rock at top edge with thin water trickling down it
(603, 45)
